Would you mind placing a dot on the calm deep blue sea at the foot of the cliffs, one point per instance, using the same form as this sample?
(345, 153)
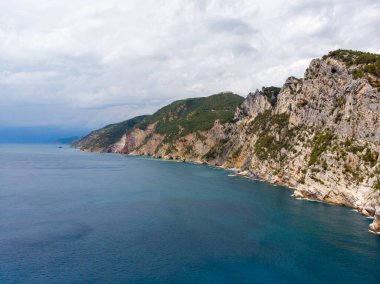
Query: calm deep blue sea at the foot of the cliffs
(72, 217)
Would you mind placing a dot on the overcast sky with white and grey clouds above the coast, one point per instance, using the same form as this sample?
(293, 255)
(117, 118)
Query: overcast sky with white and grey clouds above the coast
(87, 63)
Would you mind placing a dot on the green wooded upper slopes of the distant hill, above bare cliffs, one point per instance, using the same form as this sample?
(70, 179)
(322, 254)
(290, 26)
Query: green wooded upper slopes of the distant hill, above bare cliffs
(174, 120)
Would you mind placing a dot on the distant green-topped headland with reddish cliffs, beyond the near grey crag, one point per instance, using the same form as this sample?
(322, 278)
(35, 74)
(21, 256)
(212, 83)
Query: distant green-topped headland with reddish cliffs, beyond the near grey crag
(184, 129)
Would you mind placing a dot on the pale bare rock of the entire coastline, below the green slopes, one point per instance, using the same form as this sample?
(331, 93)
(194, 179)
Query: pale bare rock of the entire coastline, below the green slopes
(319, 134)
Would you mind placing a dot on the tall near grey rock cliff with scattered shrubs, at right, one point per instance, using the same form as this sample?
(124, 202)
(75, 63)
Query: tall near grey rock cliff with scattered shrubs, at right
(321, 137)
